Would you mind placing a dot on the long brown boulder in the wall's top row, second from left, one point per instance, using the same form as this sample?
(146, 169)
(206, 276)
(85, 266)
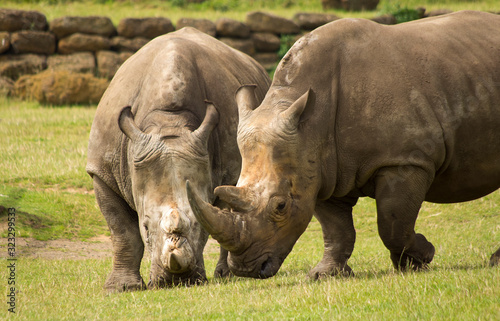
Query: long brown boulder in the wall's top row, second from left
(92, 25)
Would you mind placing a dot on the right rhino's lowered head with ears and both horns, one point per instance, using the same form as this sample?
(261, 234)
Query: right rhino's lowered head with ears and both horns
(274, 199)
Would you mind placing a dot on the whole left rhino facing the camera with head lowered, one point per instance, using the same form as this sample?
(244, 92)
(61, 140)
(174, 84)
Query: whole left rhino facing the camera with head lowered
(141, 156)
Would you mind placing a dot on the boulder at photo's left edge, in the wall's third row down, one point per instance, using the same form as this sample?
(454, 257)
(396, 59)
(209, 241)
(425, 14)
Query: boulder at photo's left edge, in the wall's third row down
(14, 66)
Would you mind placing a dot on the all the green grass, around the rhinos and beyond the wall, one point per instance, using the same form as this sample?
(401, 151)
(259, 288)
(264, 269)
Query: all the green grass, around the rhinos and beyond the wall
(42, 174)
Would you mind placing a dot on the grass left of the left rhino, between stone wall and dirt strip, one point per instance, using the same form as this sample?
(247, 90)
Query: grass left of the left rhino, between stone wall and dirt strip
(42, 170)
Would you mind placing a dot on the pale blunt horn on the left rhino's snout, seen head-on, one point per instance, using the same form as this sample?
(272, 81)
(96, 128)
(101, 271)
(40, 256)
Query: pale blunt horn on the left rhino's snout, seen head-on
(177, 255)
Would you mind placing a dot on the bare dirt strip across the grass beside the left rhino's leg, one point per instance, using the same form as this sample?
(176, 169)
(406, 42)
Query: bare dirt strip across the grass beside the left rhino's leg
(95, 248)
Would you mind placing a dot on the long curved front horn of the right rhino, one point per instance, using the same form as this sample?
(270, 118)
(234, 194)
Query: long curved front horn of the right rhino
(227, 228)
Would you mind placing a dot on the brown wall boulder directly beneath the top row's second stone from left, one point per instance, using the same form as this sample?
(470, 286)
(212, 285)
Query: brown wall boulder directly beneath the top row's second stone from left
(82, 42)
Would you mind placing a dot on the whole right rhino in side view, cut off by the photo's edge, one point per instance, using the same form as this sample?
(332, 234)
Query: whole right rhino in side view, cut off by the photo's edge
(401, 114)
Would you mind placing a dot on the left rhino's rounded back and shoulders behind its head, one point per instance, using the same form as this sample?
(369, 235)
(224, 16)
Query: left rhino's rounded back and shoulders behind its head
(174, 72)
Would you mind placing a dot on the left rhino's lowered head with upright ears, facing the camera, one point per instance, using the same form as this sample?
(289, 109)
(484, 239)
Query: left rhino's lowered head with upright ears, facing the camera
(161, 161)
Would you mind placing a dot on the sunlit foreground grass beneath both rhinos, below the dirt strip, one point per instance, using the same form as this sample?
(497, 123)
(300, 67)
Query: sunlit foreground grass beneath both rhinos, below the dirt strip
(459, 285)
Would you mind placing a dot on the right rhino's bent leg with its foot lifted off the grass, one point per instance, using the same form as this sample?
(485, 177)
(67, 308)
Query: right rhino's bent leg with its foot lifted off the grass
(400, 192)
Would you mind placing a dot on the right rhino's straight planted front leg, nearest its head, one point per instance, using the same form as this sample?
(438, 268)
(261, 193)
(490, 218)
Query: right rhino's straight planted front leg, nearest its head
(339, 235)
